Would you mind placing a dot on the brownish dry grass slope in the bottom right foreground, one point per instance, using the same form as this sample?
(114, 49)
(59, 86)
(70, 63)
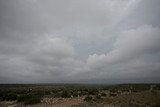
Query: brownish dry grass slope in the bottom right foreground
(139, 99)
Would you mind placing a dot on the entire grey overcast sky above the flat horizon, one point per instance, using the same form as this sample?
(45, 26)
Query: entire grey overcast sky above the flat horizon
(79, 41)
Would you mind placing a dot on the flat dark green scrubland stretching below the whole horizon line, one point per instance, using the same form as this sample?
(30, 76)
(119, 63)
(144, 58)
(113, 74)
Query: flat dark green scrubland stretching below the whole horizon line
(72, 95)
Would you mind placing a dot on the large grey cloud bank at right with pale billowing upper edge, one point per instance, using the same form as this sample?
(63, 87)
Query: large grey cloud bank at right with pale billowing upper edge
(135, 55)
